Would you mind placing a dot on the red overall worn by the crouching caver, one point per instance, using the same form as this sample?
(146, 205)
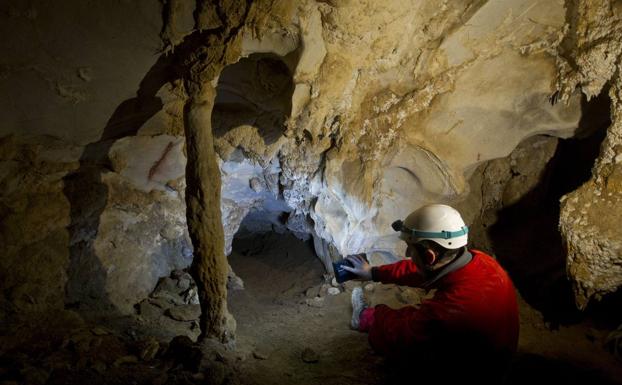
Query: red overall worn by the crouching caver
(473, 311)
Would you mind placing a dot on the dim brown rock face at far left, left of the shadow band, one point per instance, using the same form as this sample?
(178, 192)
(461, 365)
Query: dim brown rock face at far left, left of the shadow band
(34, 215)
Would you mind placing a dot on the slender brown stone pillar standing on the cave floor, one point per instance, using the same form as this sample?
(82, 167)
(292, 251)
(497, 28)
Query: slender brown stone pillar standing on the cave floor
(209, 267)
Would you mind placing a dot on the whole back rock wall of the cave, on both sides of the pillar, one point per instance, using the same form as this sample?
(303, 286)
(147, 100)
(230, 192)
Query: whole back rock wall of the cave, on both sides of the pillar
(331, 120)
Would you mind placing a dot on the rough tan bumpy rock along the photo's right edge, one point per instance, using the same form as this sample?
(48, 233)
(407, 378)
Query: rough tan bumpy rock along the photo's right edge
(591, 60)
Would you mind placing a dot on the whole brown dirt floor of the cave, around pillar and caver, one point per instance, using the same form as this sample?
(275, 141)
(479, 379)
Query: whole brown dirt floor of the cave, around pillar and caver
(292, 328)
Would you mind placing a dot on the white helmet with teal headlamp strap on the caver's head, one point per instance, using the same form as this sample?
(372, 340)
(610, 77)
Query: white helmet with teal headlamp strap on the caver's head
(439, 223)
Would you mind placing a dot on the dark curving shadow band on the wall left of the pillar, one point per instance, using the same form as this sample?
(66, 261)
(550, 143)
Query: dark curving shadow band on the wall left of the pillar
(88, 195)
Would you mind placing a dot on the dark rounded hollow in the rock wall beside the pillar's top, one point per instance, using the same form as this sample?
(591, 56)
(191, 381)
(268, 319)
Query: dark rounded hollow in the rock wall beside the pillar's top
(255, 91)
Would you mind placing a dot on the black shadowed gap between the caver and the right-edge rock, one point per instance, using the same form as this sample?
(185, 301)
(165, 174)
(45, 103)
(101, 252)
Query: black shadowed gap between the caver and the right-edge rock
(526, 238)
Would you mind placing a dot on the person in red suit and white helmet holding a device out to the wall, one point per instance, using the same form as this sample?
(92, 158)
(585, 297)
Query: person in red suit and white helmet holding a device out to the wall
(468, 329)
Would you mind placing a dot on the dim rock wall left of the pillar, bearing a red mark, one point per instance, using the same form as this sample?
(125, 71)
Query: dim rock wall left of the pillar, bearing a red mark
(92, 167)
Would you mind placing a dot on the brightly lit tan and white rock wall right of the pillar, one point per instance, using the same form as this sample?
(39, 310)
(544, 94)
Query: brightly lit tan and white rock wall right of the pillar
(372, 136)
